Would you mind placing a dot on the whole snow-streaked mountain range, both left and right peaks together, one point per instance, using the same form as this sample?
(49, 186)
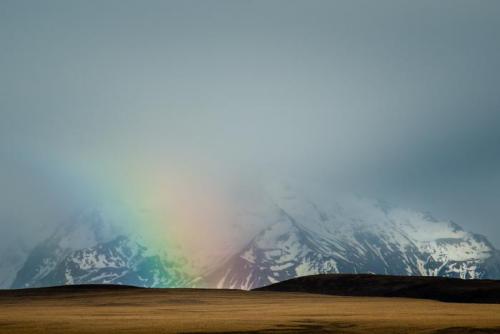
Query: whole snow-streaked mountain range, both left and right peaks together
(298, 235)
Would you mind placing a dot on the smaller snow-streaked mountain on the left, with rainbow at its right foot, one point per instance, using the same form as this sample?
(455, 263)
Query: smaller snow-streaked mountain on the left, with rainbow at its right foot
(91, 250)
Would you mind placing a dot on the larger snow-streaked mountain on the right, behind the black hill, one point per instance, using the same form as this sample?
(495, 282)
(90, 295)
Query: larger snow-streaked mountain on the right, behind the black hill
(355, 236)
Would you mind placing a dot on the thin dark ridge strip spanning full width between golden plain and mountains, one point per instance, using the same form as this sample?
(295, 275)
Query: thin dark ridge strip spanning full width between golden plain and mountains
(443, 289)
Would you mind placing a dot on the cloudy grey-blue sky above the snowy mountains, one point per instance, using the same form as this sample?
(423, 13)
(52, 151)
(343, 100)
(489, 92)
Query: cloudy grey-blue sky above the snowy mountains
(179, 101)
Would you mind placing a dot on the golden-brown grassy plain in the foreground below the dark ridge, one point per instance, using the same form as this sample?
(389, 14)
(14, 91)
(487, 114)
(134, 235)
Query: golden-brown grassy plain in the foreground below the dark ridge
(226, 311)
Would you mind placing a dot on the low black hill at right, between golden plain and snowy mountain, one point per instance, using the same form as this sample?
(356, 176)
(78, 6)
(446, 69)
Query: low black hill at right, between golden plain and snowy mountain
(437, 288)
